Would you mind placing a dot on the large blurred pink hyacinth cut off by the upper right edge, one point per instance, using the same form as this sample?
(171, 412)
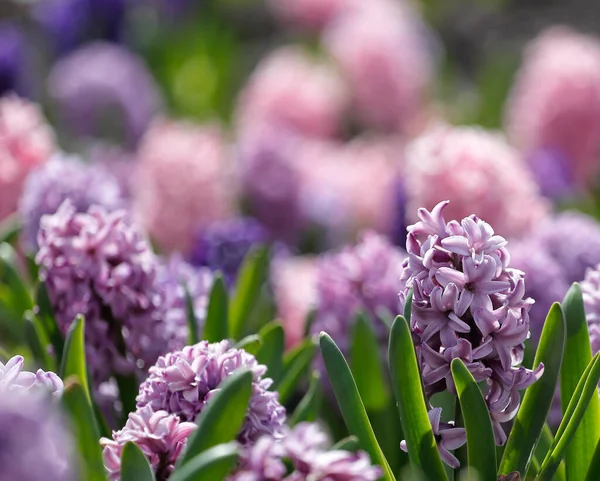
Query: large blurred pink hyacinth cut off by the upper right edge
(555, 102)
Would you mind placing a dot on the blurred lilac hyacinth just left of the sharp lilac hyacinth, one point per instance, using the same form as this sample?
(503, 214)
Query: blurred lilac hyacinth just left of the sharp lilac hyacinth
(365, 276)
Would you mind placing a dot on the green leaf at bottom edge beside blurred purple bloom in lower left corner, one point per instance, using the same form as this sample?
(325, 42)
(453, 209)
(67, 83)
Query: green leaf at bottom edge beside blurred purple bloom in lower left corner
(76, 403)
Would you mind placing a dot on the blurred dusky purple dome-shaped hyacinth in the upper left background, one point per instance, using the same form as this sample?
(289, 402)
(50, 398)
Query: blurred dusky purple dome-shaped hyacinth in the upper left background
(94, 104)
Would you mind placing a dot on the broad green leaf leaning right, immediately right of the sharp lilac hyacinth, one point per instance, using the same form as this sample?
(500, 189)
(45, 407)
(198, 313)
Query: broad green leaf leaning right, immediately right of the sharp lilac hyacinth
(535, 407)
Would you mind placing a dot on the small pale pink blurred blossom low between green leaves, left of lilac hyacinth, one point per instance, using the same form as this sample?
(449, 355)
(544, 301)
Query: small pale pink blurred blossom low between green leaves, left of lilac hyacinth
(294, 284)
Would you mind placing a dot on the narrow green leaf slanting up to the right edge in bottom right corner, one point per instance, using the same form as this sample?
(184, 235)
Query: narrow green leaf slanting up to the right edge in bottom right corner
(585, 390)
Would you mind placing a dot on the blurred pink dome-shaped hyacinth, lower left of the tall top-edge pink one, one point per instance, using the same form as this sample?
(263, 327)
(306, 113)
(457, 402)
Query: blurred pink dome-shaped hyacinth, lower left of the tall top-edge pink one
(293, 91)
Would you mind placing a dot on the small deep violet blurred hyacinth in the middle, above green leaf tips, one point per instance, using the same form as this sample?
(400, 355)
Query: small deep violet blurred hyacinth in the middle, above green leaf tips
(223, 245)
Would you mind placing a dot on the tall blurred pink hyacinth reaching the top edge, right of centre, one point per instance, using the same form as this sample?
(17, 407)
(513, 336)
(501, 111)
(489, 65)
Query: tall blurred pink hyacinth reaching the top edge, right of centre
(382, 49)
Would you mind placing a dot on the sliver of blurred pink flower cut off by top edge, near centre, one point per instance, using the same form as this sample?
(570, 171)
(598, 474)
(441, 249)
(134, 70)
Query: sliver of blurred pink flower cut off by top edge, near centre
(309, 14)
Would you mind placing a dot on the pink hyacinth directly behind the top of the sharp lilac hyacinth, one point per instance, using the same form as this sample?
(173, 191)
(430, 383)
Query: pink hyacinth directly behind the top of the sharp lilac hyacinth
(479, 173)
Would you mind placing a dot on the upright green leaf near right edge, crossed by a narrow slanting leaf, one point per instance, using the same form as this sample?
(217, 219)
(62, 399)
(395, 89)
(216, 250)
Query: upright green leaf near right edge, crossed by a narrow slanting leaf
(578, 353)
